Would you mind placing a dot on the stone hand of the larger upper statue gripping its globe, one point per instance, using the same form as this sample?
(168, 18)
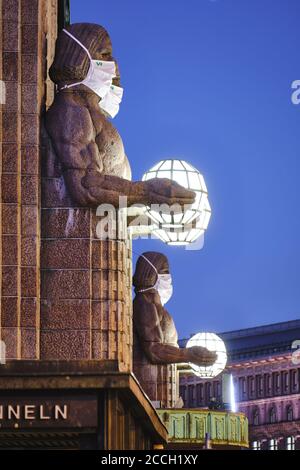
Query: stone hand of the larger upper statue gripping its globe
(165, 191)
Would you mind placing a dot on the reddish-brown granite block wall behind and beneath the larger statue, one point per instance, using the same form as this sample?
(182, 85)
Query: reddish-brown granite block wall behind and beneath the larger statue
(64, 294)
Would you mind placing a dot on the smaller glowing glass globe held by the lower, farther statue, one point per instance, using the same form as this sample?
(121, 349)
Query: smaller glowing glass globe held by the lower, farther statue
(214, 343)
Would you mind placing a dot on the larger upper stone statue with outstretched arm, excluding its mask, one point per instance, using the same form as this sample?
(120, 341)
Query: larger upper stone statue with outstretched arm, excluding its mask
(88, 152)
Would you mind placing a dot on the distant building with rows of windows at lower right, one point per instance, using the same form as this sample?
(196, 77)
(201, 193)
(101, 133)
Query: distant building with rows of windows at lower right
(266, 372)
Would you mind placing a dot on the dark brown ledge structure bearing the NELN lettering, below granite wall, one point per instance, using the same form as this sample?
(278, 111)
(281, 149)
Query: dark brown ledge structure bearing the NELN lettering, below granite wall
(75, 406)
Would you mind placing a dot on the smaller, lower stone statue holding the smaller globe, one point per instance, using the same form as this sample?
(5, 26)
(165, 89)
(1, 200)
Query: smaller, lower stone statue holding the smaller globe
(153, 325)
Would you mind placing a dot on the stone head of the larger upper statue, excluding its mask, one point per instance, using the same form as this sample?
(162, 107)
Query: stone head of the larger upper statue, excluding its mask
(71, 62)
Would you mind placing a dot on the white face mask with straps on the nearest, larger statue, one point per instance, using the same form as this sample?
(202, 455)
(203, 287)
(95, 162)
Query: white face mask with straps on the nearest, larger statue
(100, 74)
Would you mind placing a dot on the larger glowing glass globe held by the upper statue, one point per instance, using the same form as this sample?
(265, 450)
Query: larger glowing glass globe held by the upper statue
(184, 227)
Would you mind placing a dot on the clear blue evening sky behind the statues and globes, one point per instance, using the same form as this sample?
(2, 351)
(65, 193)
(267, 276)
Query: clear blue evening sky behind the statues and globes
(210, 82)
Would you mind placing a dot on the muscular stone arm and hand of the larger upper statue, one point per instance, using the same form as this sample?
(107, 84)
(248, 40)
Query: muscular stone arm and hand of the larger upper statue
(74, 139)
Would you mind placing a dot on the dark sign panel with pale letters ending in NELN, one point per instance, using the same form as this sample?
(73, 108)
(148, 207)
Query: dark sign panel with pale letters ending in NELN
(48, 412)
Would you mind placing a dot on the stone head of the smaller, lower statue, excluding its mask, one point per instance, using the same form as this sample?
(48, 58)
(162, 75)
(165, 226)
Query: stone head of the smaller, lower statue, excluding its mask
(145, 275)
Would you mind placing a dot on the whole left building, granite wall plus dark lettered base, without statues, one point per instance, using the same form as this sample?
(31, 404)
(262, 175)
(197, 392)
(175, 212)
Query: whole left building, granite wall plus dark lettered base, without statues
(66, 375)
